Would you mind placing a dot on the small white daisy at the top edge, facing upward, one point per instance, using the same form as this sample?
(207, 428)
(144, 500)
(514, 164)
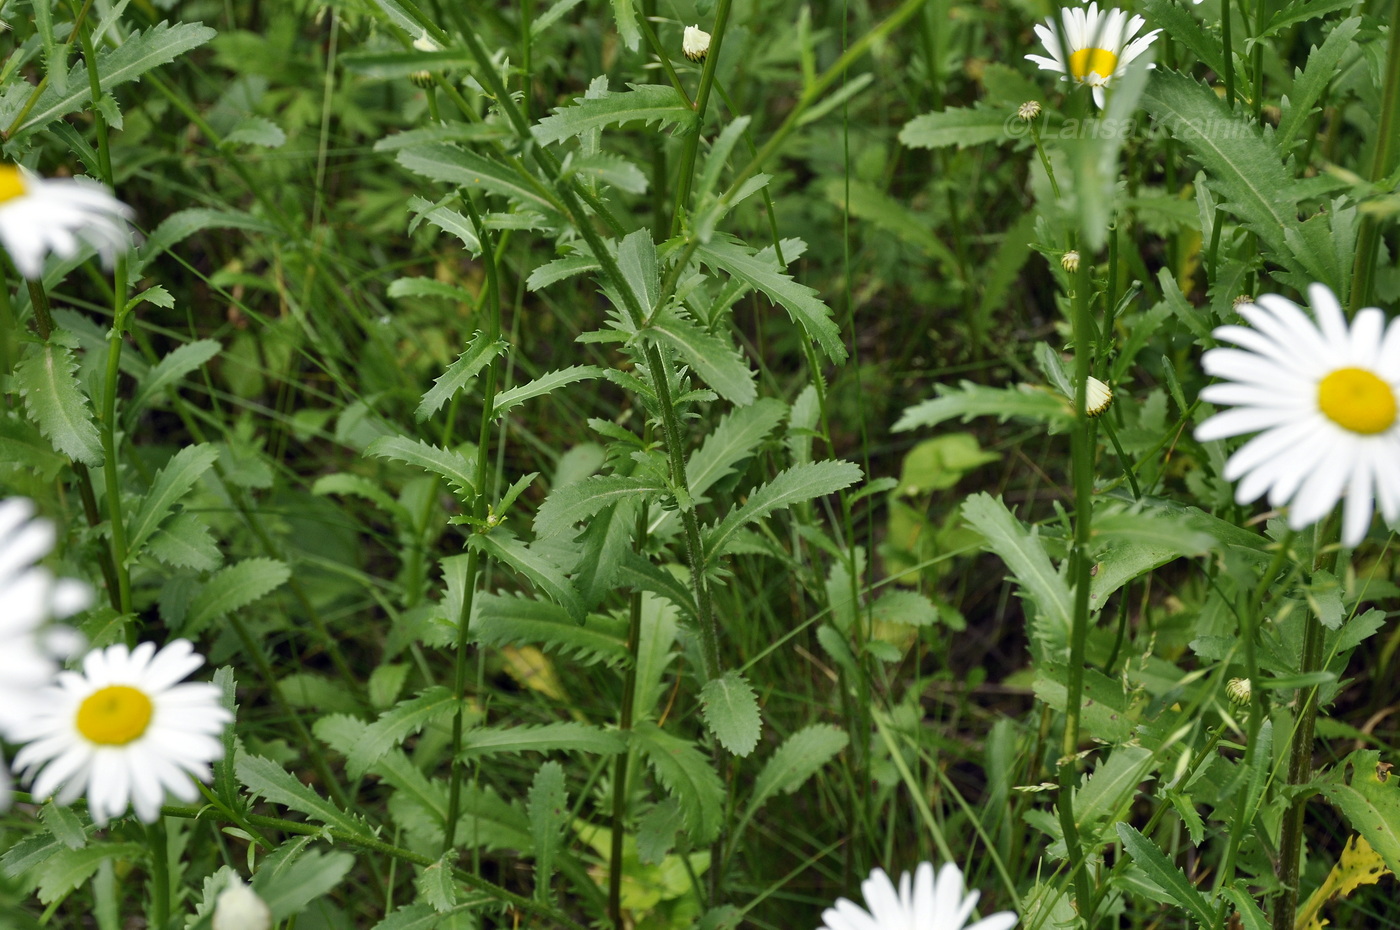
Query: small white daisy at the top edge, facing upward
(1101, 46)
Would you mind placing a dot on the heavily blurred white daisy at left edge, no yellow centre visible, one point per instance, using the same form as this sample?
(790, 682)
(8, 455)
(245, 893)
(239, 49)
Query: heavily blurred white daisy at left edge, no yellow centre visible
(31, 597)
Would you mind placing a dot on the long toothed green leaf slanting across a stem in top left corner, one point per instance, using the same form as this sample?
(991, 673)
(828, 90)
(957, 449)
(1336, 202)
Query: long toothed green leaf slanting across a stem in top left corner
(138, 54)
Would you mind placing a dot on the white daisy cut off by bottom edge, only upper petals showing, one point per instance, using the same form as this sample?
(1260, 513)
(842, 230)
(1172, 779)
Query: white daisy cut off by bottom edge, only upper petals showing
(916, 905)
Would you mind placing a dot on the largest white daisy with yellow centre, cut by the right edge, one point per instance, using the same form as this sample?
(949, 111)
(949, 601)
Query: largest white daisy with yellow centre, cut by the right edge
(1324, 400)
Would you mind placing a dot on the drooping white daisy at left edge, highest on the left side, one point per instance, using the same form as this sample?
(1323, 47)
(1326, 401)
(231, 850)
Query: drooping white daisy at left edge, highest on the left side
(40, 216)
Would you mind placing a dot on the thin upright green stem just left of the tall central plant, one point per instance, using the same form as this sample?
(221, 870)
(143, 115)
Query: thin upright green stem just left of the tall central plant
(492, 305)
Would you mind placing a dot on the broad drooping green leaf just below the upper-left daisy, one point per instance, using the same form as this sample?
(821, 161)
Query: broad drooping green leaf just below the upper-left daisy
(57, 404)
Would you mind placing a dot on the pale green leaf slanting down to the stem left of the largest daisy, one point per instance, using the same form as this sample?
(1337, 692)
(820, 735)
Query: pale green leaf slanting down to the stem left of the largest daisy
(1030, 565)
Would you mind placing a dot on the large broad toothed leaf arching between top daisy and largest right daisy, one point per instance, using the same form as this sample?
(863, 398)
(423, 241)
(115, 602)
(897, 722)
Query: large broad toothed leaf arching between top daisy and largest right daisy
(1241, 165)
